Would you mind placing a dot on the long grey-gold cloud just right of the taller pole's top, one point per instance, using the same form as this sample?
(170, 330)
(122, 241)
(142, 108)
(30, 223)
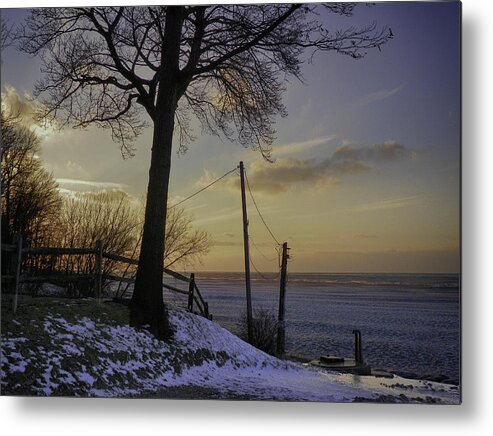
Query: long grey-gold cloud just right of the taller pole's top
(326, 173)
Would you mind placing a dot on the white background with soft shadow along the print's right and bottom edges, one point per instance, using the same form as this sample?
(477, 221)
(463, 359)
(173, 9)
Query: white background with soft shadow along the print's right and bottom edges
(139, 417)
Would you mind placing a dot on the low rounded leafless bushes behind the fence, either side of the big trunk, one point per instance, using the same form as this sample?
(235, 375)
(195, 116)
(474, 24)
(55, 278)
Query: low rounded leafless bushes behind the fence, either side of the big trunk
(112, 218)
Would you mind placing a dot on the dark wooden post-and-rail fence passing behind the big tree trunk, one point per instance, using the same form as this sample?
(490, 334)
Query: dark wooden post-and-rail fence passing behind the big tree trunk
(14, 277)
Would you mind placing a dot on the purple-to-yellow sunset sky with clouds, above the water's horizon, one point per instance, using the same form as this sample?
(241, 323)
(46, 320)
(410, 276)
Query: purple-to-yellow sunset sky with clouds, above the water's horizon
(366, 172)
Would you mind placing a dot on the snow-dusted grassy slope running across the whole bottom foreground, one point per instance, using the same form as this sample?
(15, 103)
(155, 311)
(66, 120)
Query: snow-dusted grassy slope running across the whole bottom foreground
(111, 360)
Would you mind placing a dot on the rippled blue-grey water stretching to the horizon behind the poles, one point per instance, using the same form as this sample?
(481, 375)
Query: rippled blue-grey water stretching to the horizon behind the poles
(409, 322)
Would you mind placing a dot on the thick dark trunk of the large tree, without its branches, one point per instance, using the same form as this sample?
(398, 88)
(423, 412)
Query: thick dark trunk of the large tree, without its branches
(147, 305)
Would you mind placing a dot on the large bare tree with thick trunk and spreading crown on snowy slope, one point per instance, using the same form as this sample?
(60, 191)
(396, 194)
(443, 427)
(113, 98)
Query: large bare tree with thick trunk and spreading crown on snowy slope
(224, 64)
